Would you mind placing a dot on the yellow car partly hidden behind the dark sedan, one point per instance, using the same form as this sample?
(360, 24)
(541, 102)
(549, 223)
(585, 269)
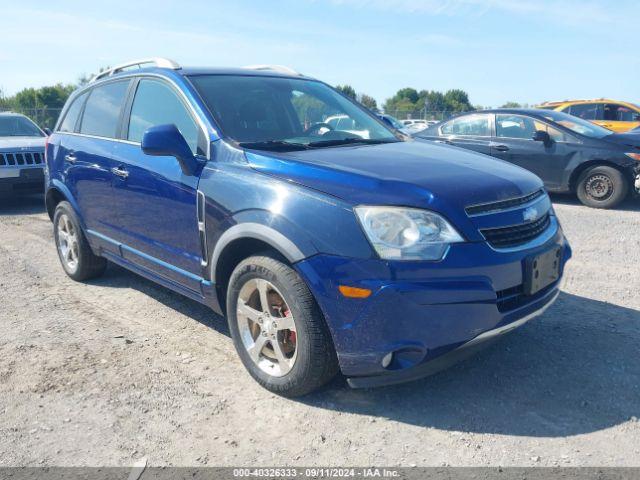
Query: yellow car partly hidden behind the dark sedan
(612, 114)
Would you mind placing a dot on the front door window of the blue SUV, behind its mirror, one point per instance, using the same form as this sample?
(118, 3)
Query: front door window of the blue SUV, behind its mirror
(156, 103)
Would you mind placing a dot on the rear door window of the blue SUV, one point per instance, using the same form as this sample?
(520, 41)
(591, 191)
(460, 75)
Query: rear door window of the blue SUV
(102, 111)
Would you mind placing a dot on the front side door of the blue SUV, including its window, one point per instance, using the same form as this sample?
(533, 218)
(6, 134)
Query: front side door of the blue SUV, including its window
(156, 207)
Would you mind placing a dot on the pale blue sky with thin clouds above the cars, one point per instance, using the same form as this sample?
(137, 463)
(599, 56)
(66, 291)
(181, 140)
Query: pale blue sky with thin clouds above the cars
(527, 51)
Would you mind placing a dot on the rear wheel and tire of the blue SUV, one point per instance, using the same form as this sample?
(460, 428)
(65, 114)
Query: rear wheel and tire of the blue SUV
(74, 252)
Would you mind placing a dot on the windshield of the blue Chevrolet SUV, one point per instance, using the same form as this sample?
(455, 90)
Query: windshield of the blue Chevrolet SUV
(285, 113)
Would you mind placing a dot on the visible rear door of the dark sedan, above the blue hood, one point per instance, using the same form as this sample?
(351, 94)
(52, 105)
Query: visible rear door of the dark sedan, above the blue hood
(469, 131)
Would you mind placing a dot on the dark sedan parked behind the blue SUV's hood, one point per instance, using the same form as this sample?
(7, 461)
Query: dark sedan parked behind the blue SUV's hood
(569, 154)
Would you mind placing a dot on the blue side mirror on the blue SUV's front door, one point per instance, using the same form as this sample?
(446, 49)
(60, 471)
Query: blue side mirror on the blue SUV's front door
(166, 140)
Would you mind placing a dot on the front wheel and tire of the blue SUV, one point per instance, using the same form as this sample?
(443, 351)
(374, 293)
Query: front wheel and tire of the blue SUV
(308, 356)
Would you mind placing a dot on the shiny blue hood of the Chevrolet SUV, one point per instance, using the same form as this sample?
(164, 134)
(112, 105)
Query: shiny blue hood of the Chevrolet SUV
(414, 173)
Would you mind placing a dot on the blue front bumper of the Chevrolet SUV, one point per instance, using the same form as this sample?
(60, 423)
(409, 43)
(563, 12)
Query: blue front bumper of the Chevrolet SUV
(430, 314)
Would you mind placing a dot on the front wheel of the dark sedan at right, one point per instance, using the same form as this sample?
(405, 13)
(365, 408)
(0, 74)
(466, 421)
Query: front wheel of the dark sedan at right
(602, 187)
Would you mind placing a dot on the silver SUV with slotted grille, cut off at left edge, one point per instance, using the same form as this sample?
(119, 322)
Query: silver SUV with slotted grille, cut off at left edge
(21, 155)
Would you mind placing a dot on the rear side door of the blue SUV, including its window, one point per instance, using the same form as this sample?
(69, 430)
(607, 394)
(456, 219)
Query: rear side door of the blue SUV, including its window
(86, 150)
